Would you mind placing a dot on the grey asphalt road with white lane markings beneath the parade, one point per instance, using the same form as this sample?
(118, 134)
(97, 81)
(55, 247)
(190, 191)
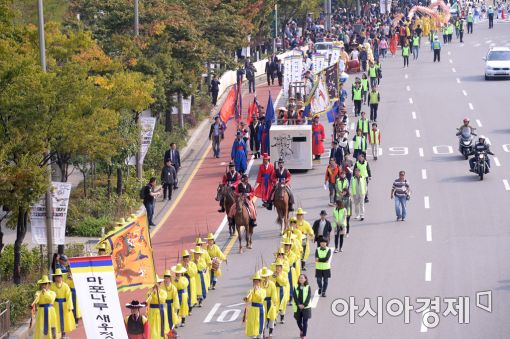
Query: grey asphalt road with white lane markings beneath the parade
(456, 239)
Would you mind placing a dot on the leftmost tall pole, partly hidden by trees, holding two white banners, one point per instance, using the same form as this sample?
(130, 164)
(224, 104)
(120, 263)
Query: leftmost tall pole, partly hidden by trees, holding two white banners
(48, 195)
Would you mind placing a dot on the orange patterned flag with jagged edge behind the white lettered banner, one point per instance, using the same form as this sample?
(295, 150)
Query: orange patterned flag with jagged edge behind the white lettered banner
(132, 255)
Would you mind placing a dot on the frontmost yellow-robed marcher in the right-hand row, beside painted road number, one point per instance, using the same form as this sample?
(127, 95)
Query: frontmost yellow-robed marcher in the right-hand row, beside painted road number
(254, 309)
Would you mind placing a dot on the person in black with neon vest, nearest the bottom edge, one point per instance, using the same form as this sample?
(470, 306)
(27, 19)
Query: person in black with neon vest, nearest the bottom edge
(301, 306)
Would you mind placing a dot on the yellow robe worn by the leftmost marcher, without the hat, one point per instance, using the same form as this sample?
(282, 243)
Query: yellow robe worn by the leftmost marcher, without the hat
(44, 303)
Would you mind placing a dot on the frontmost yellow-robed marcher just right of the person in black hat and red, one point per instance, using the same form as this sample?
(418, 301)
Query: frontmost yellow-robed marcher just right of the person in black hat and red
(158, 321)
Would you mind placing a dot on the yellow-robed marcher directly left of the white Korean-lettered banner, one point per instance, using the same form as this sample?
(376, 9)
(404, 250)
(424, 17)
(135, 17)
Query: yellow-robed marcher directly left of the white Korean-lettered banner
(63, 304)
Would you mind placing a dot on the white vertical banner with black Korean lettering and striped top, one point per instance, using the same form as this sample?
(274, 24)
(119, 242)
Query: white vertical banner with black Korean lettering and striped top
(96, 290)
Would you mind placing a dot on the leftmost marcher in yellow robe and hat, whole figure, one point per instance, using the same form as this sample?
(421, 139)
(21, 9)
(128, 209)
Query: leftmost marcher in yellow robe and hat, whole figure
(45, 318)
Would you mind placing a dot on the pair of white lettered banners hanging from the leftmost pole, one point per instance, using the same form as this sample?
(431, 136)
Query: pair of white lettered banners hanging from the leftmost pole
(60, 194)
